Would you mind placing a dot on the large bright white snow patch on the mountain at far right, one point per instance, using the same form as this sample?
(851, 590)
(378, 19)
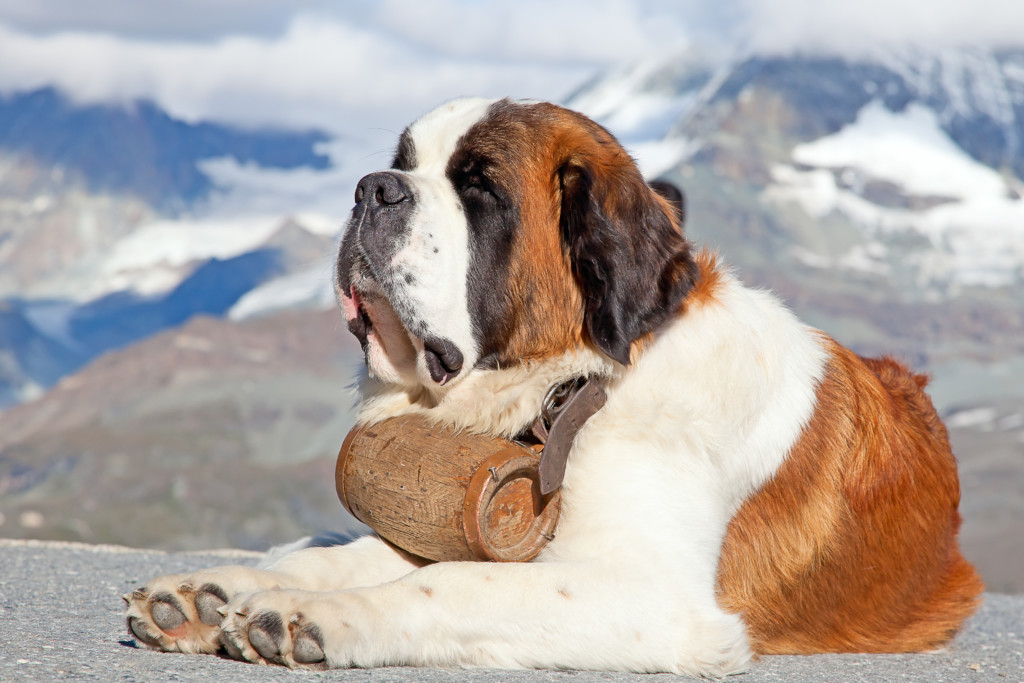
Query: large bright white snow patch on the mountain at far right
(976, 238)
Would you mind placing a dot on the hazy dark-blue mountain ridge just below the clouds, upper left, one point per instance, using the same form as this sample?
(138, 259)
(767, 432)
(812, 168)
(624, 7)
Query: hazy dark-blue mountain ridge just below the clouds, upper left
(139, 150)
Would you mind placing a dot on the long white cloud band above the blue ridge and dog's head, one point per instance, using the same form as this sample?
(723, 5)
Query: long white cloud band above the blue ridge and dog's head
(331, 75)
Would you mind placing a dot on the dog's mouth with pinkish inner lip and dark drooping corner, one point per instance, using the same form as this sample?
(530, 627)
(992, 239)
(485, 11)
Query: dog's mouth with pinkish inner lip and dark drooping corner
(373, 321)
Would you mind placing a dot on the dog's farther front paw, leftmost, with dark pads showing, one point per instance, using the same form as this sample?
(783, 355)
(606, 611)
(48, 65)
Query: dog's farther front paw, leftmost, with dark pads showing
(184, 613)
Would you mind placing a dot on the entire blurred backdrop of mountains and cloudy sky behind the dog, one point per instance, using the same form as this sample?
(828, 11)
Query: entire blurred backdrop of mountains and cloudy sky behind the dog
(174, 179)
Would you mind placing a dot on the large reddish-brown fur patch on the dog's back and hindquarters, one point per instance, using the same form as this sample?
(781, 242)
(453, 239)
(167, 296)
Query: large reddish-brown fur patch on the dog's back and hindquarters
(851, 547)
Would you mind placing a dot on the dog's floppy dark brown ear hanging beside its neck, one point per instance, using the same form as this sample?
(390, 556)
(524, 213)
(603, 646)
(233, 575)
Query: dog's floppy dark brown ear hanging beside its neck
(627, 250)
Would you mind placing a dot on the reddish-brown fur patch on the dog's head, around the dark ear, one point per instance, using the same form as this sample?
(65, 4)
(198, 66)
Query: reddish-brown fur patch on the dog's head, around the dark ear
(526, 150)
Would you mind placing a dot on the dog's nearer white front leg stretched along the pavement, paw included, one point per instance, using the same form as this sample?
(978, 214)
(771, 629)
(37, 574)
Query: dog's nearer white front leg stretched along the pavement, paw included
(566, 616)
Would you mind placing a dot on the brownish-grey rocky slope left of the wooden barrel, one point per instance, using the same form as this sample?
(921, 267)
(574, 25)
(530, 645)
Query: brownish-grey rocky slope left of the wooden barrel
(211, 435)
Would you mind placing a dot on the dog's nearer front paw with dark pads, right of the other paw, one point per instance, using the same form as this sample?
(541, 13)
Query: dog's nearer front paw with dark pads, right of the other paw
(276, 627)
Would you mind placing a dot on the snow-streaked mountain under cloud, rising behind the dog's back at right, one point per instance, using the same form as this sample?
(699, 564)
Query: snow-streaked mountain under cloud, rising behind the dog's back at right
(881, 196)
